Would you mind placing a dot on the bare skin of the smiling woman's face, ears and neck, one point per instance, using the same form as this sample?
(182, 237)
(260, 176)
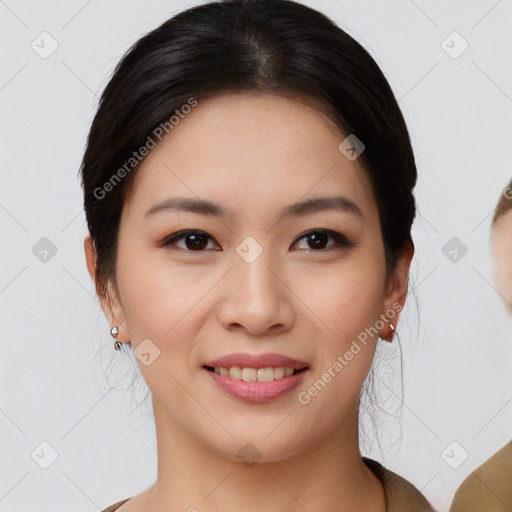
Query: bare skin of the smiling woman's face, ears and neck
(253, 154)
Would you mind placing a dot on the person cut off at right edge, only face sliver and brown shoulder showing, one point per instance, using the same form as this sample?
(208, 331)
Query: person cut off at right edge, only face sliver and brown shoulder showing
(489, 487)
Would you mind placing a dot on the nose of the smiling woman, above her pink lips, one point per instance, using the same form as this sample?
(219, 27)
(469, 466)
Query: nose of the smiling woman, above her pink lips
(256, 297)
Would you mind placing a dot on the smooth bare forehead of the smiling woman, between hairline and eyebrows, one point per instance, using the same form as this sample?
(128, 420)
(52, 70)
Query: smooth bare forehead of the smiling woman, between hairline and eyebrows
(252, 150)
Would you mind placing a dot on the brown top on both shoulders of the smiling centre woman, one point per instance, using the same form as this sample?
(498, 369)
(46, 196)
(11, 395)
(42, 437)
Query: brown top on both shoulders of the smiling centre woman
(401, 496)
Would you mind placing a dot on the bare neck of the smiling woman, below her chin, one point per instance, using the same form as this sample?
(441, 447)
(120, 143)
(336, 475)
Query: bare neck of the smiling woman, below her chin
(326, 477)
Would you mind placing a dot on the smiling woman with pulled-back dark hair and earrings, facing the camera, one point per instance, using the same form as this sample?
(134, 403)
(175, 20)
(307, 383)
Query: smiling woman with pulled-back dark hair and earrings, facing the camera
(248, 185)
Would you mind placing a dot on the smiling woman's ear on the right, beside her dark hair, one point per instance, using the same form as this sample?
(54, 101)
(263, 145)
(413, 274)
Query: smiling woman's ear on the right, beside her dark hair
(396, 292)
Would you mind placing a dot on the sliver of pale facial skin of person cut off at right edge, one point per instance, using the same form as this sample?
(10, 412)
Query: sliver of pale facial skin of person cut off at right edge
(501, 246)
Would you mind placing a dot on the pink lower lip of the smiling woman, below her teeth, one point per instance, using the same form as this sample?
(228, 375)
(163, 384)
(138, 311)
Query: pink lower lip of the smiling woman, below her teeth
(257, 392)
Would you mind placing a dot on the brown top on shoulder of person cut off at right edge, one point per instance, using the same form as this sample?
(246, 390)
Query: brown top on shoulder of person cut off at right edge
(489, 487)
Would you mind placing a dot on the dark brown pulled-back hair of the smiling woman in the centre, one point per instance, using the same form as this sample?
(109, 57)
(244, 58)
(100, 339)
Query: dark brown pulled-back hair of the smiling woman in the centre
(276, 46)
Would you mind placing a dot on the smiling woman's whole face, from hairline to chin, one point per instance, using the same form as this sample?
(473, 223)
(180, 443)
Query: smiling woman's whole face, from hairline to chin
(256, 274)
